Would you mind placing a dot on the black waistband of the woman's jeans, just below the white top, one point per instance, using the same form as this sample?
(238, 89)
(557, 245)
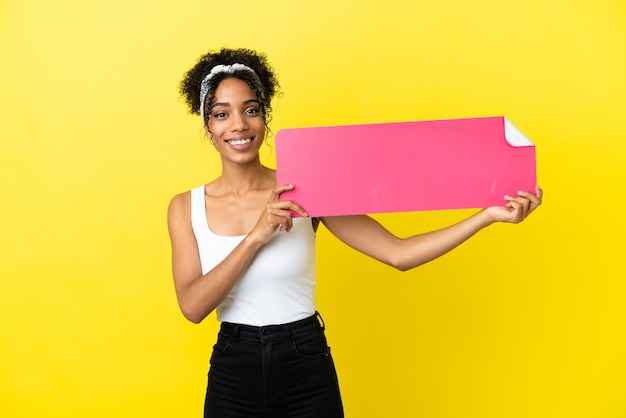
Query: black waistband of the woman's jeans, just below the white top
(272, 332)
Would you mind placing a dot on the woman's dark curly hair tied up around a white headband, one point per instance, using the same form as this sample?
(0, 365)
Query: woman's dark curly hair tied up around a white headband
(190, 84)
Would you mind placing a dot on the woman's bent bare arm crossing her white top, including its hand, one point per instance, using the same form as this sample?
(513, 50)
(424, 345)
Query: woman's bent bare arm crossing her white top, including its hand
(198, 295)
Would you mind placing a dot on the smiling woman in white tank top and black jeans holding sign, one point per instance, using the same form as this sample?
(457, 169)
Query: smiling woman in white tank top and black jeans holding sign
(236, 249)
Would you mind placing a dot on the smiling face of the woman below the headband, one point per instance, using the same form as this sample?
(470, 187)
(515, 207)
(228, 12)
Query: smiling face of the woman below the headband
(236, 125)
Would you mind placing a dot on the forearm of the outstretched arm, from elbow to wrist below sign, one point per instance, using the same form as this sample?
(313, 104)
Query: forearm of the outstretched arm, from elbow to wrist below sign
(419, 249)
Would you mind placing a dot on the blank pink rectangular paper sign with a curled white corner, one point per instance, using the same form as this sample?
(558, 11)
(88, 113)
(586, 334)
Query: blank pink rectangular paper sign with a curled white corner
(407, 166)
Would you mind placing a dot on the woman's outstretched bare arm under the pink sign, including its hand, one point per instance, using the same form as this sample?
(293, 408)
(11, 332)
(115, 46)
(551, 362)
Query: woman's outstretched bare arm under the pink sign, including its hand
(369, 237)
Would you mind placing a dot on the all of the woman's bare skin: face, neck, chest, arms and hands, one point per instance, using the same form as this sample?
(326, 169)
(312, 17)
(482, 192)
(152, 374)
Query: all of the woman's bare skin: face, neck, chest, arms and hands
(243, 200)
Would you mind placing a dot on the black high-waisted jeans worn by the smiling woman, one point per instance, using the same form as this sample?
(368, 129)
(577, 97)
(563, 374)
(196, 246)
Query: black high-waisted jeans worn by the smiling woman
(273, 371)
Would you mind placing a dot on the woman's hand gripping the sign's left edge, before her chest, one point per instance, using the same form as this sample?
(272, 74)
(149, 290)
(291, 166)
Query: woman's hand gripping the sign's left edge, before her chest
(275, 216)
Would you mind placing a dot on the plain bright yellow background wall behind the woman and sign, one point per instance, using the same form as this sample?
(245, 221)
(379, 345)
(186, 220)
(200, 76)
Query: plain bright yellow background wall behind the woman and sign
(522, 321)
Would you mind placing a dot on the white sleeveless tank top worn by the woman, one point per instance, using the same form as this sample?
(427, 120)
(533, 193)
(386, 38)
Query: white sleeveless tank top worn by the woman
(279, 284)
